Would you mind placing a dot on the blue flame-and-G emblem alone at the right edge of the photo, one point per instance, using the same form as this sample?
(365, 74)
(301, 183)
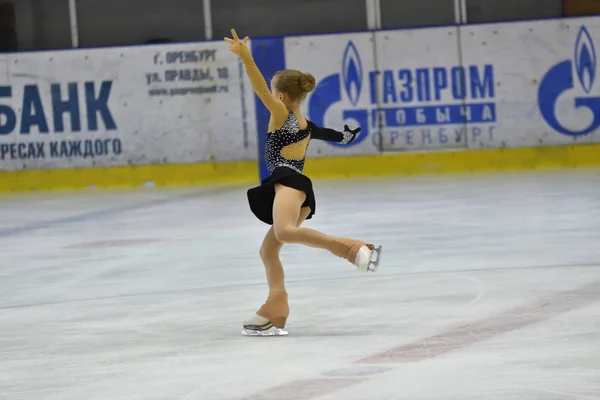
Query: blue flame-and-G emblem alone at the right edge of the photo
(560, 81)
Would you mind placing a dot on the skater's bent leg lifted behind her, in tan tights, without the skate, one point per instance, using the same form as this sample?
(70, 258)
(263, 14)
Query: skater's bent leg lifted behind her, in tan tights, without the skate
(285, 214)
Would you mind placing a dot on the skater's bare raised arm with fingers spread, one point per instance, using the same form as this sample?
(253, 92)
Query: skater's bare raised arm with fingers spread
(277, 109)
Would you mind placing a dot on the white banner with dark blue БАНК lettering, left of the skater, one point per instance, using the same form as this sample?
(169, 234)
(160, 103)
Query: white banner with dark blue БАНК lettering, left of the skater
(123, 106)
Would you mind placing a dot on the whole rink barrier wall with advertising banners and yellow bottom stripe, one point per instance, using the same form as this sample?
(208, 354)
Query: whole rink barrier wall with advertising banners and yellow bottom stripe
(486, 97)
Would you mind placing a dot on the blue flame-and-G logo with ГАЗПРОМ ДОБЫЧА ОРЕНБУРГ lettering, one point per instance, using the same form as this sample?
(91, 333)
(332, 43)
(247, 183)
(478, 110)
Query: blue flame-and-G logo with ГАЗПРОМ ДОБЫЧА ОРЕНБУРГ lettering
(409, 106)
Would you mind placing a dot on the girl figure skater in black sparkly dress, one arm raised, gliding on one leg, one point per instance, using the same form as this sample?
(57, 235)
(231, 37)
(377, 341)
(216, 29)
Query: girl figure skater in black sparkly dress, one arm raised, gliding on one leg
(285, 199)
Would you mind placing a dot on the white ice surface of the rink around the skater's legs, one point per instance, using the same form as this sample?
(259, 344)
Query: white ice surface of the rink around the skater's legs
(489, 288)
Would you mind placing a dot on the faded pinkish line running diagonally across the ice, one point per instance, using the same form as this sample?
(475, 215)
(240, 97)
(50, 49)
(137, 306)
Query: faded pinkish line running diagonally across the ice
(433, 346)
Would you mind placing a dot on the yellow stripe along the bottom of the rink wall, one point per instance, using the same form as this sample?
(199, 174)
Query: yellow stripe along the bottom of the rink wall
(457, 161)
